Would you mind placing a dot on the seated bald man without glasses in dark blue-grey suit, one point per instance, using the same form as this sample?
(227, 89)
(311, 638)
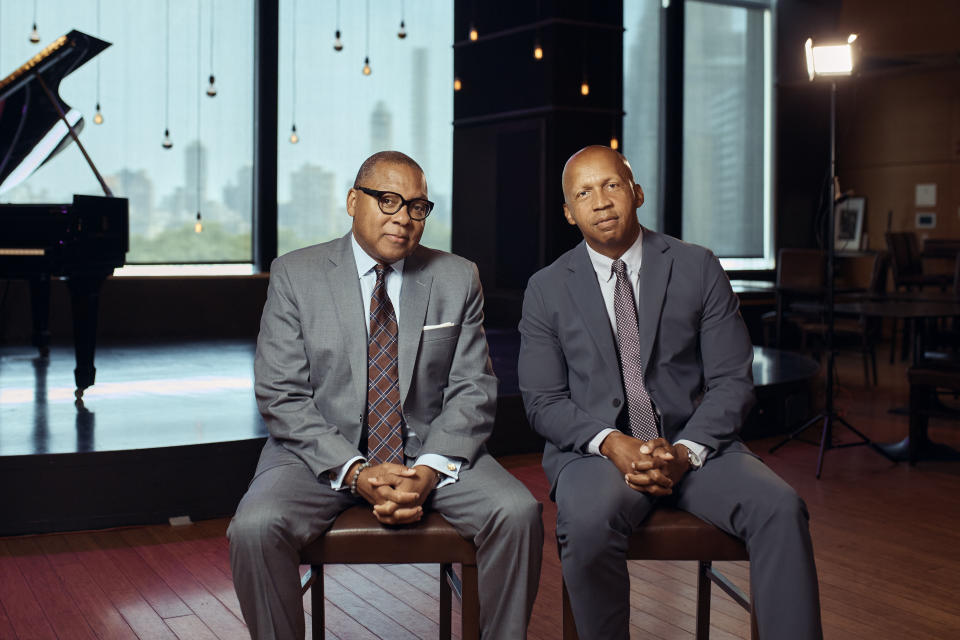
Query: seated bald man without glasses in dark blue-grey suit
(642, 402)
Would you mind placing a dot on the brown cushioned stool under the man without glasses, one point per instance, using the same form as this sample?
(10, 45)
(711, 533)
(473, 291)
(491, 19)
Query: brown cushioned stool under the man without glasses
(672, 534)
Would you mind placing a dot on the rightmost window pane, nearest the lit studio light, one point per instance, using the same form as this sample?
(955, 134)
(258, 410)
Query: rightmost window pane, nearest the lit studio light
(727, 131)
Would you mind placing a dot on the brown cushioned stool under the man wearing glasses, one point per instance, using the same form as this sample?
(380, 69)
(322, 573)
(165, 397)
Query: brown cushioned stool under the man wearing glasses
(357, 538)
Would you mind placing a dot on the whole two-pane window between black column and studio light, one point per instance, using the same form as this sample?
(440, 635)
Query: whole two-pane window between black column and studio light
(727, 122)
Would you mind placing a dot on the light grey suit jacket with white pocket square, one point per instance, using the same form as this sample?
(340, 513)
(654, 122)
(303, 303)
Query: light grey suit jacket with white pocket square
(311, 363)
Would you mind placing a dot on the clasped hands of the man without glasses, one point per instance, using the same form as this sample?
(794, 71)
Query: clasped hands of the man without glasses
(653, 467)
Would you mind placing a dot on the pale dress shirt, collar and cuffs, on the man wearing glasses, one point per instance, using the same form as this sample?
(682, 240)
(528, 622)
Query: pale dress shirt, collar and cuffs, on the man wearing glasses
(448, 468)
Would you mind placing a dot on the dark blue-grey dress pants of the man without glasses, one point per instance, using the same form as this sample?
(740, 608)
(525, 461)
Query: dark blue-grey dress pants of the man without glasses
(734, 491)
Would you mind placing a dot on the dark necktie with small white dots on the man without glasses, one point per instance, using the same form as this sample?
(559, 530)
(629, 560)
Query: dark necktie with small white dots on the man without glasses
(643, 424)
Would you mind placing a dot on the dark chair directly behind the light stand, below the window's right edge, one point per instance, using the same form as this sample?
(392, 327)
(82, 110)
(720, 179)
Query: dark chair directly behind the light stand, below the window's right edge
(801, 275)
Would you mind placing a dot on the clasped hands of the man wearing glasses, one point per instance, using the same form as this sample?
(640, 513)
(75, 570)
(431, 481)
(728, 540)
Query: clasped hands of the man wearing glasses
(396, 492)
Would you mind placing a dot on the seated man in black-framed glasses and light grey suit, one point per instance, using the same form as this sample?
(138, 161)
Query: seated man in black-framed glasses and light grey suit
(390, 410)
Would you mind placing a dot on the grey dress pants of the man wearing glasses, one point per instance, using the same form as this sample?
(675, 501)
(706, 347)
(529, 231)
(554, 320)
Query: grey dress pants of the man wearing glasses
(286, 507)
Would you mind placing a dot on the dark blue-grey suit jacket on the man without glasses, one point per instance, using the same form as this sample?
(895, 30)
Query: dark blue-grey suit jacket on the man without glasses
(695, 350)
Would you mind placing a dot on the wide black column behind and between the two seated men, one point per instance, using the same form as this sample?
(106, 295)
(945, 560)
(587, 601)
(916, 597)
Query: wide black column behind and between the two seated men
(516, 121)
